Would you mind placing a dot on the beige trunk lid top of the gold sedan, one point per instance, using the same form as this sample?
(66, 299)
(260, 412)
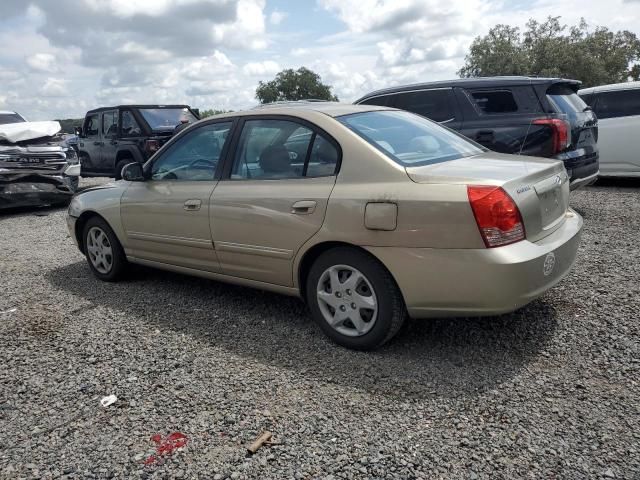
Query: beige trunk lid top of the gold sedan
(487, 168)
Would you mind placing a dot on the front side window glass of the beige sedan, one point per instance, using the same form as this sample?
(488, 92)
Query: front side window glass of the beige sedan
(195, 156)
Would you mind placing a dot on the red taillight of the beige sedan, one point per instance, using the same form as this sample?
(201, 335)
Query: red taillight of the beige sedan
(497, 215)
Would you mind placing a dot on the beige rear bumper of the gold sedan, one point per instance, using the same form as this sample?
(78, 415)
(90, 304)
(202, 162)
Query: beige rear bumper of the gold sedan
(476, 282)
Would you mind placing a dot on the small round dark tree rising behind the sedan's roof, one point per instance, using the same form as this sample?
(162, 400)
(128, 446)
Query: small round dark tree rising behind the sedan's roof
(292, 84)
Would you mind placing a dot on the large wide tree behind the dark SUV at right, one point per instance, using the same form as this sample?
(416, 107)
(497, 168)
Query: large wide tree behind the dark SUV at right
(546, 49)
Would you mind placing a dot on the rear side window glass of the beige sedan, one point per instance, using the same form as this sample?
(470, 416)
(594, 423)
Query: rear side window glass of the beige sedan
(280, 149)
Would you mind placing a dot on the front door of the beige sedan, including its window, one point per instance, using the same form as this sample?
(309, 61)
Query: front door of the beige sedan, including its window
(166, 217)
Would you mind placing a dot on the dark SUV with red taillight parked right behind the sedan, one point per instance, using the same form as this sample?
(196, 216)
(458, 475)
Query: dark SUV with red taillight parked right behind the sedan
(541, 117)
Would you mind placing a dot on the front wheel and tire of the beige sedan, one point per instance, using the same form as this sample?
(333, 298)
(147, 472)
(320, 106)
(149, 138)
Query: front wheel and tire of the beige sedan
(102, 248)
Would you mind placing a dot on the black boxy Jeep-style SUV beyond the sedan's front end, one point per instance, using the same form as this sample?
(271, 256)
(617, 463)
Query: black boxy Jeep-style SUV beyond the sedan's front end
(112, 137)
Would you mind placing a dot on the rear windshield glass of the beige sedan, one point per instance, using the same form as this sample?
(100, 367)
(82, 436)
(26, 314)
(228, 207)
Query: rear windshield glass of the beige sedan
(409, 139)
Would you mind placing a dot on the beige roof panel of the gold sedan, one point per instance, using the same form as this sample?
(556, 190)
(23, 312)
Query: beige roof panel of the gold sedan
(332, 109)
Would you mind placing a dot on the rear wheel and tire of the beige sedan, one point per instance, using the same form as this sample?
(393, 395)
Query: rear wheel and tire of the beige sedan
(365, 310)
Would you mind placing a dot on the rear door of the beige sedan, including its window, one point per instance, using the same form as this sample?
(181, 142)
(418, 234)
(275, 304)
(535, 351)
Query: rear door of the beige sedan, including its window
(273, 199)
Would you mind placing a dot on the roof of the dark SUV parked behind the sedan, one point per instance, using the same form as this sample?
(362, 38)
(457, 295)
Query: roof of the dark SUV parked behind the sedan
(475, 82)
